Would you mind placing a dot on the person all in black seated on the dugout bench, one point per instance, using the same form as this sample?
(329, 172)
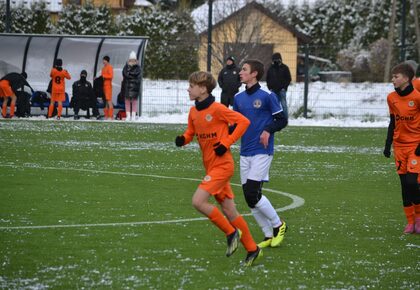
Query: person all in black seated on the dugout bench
(84, 97)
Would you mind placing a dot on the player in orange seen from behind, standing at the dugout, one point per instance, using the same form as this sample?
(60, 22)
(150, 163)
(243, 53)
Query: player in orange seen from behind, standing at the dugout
(58, 90)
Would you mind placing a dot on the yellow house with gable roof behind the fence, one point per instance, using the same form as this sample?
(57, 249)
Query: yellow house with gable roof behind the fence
(248, 31)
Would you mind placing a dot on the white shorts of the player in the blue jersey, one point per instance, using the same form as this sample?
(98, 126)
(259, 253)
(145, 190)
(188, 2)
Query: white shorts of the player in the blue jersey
(255, 167)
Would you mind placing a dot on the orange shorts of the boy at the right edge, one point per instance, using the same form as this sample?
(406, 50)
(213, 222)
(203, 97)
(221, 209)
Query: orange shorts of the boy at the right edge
(406, 160)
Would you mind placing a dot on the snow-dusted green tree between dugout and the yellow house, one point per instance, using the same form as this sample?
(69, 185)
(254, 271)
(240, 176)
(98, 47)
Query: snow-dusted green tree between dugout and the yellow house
(172, 48)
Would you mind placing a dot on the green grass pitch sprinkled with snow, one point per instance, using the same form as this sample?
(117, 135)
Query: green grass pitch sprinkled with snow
(108, 205)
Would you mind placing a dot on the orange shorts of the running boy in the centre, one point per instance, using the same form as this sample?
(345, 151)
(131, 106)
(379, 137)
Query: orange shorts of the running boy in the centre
(217, 183)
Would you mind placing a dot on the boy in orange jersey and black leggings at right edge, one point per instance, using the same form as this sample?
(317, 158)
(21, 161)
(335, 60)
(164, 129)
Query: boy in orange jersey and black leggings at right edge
(404, 132)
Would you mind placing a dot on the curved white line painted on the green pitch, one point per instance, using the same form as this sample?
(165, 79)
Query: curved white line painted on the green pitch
(296, 200)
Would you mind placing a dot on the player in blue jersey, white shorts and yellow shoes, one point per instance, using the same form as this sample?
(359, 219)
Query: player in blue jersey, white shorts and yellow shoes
(262, 108)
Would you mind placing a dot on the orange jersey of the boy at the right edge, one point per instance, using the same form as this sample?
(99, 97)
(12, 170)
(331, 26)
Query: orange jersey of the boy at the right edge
(406, 110)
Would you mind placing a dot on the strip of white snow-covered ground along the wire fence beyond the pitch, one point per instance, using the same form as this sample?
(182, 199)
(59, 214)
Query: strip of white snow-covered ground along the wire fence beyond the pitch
(330, 104)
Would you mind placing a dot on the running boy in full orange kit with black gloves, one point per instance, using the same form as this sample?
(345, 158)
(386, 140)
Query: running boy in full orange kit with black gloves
(209, 121)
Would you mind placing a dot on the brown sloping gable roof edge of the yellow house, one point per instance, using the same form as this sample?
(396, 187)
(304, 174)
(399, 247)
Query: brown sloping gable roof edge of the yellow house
(302, 37)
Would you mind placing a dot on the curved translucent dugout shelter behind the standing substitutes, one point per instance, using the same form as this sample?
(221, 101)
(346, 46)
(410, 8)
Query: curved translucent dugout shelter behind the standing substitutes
(35, 54)
